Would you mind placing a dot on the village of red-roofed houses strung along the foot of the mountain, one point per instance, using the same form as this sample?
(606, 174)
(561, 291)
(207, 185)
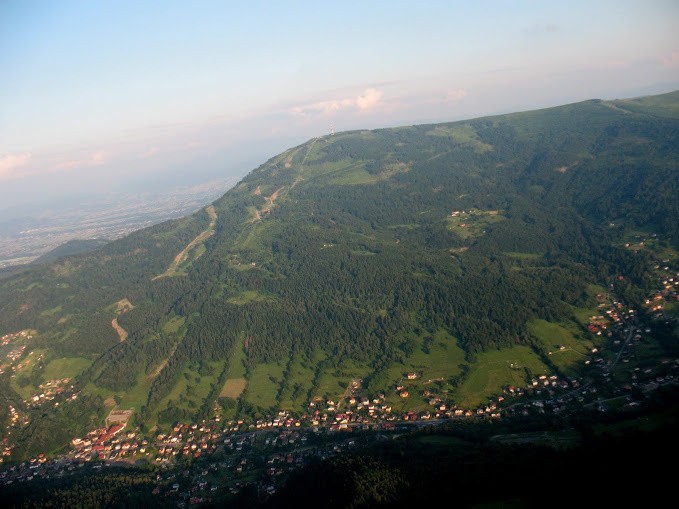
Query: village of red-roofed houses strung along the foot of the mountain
(196, 462)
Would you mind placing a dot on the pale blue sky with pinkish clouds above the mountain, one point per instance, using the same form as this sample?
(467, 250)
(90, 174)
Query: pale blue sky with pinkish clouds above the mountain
(108, 96)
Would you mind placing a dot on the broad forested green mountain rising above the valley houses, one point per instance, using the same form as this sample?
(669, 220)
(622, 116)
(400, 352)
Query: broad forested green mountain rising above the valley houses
(450, 260)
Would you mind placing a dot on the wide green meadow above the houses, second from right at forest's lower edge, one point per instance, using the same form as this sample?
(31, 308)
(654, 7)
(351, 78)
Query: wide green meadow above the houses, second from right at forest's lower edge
(495, 369)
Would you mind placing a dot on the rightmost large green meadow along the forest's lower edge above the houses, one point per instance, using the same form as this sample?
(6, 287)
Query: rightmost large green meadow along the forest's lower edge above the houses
(561, 343)
